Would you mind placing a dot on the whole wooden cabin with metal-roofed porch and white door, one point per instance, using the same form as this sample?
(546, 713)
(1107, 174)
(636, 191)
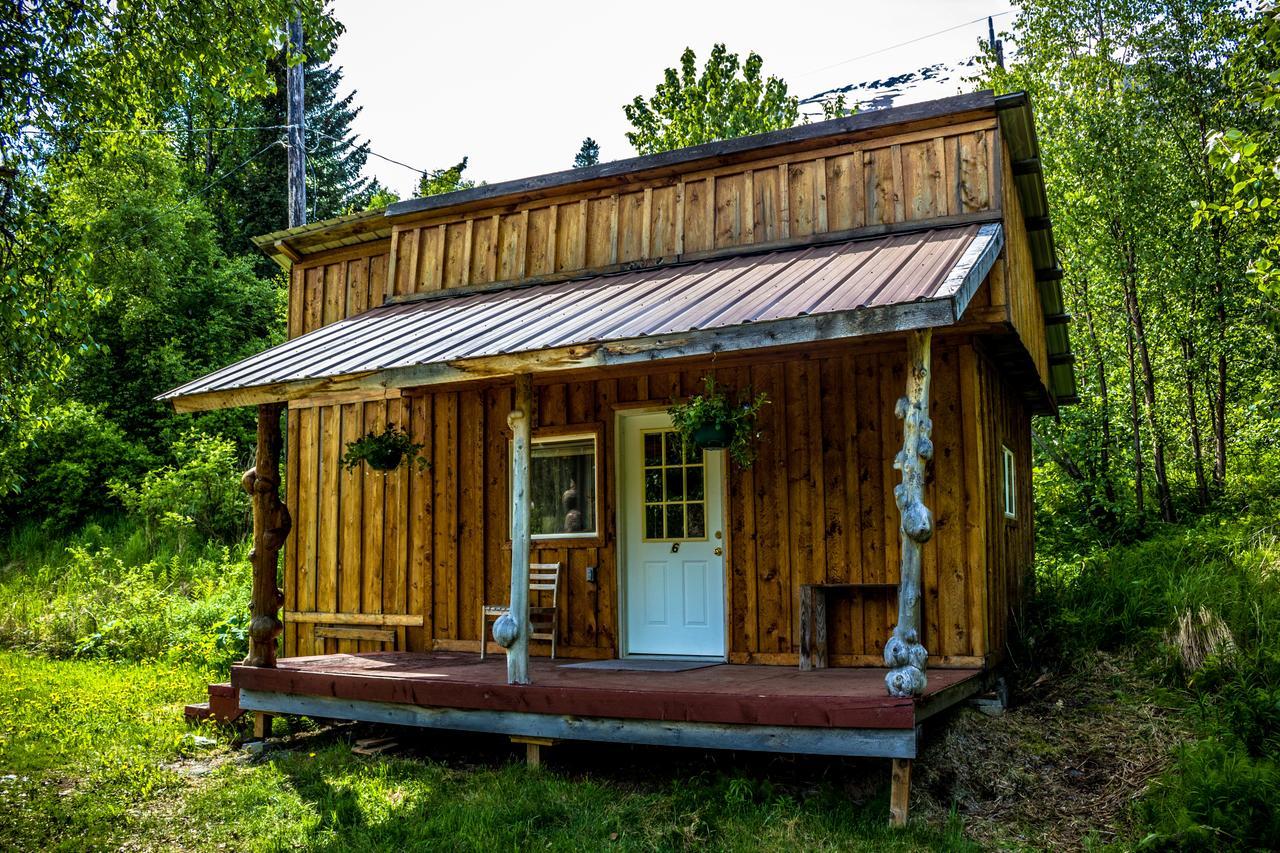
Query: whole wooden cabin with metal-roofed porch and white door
(531, 337)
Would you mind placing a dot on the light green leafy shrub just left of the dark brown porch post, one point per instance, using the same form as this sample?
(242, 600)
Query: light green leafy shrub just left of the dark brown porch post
(203, 494)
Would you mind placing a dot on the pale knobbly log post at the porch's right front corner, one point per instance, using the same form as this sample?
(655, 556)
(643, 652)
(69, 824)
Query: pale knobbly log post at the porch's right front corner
(904, 654)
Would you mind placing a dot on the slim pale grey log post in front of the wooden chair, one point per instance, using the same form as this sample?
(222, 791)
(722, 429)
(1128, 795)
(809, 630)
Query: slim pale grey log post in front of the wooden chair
(511, 630)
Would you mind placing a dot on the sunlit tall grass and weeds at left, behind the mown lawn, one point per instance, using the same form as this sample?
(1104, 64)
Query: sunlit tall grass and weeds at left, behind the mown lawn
(113, 592)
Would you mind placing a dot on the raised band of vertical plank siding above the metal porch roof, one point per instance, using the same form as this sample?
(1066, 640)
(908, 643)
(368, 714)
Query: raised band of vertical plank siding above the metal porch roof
(911, 177)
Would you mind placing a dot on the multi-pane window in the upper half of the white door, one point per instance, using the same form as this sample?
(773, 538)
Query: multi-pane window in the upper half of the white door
(674, 489)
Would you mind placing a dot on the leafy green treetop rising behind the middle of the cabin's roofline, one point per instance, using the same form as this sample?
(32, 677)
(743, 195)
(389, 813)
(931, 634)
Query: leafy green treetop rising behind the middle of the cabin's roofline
(728, 99)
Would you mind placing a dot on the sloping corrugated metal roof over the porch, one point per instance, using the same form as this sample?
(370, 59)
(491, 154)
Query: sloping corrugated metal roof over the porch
(847, 286)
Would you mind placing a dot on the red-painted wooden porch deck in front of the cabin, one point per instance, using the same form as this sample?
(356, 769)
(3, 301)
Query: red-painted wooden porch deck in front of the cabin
(735, 695)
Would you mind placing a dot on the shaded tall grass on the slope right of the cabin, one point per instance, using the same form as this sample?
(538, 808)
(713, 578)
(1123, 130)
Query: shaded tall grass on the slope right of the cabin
(1224, 790)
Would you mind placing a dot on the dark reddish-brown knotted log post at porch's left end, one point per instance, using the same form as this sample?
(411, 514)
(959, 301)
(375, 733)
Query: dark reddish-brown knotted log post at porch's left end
(272, 527)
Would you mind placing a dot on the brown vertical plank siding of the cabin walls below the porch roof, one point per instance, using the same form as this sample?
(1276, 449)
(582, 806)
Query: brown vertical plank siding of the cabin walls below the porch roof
(815, 508)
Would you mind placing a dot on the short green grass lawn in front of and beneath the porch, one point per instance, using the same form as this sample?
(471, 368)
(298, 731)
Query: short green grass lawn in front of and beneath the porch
(102, 759)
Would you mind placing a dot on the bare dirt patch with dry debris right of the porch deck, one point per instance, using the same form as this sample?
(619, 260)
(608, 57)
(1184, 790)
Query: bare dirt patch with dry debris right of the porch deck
(1059, 769)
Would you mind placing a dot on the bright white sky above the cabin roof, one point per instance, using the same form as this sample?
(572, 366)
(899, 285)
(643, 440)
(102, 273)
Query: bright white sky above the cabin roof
(516, 86)
